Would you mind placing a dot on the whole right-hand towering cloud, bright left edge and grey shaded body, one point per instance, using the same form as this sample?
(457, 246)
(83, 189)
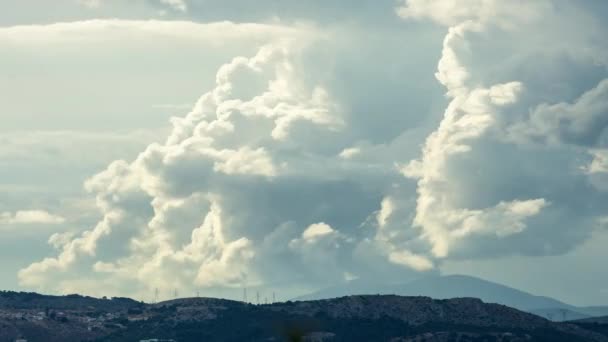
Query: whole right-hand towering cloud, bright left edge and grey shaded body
(479, 114)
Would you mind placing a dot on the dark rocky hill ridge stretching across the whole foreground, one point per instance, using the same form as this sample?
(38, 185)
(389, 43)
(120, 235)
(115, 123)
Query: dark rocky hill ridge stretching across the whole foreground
(352, 318)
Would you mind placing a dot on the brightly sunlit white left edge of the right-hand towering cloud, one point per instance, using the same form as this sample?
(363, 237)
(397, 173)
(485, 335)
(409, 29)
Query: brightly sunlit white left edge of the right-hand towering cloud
(468, 117)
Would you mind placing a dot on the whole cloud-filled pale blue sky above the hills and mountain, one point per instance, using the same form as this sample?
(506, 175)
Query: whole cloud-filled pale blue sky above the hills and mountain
(286, 146)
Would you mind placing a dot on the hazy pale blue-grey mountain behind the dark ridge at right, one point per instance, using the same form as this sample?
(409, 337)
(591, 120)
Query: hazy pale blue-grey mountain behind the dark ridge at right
(454, 286)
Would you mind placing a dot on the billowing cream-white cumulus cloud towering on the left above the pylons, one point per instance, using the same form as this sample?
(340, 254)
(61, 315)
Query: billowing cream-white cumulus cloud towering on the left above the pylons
(152, 207)
